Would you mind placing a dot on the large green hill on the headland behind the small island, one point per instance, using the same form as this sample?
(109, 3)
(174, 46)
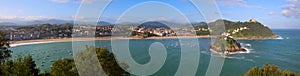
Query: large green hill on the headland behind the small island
(254, 29)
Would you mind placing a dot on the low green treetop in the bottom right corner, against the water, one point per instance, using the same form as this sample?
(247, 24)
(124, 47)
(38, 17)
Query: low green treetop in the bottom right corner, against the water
(268, 70)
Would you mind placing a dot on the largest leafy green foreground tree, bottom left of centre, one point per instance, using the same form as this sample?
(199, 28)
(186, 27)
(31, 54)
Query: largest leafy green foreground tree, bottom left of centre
(106, 59)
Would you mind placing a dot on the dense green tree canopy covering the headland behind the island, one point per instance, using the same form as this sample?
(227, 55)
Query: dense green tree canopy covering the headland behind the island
(256, 29)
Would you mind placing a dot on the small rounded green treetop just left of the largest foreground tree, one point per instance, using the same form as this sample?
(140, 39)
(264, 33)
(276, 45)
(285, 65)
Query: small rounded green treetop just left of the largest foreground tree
(64, 67)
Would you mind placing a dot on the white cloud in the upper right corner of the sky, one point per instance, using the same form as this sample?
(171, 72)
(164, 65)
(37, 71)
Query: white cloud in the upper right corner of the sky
(292, 9)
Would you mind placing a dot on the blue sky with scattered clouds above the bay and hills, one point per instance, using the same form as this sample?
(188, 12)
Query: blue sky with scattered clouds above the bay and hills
(276, 14)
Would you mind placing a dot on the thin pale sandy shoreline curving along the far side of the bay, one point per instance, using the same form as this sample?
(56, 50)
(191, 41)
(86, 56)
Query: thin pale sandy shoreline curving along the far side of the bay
(38, 41)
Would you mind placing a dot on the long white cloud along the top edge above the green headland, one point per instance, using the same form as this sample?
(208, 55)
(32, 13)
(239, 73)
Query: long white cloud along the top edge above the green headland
(236, 3)
